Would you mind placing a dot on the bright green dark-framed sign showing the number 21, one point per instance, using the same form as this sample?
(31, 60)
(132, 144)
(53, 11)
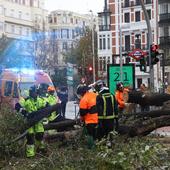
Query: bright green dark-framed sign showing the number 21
(128, 76)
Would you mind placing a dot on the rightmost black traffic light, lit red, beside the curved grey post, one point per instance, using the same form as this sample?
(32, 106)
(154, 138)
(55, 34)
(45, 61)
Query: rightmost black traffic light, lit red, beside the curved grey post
(154, 54)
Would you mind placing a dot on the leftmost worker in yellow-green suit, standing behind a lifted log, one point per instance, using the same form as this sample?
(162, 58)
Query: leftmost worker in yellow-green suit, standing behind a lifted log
(35, 133)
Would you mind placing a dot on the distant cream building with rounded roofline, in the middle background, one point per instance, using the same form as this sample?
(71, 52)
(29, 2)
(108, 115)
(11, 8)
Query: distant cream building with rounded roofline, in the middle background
(66, 29)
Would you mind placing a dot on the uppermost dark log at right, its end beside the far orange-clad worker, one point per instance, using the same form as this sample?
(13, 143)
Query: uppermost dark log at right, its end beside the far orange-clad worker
(149, 99)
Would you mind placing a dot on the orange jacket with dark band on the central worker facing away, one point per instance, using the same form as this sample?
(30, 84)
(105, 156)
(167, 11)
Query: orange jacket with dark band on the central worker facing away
(88, 110)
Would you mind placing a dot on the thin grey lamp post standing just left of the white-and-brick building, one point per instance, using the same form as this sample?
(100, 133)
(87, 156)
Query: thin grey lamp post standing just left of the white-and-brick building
(93, 52)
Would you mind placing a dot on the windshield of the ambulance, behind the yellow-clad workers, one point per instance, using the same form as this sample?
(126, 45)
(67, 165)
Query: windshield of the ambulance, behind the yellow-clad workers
(24, 88)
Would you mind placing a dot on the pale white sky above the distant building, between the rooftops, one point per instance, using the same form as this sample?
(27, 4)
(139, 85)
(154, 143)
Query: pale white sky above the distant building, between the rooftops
(80, 6)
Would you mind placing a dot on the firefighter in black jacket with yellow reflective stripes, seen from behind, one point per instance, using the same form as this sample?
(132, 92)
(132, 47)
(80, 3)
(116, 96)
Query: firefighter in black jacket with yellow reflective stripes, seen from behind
(107, 110)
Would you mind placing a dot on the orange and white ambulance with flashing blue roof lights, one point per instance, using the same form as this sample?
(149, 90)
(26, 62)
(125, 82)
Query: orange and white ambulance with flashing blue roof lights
(15, 83)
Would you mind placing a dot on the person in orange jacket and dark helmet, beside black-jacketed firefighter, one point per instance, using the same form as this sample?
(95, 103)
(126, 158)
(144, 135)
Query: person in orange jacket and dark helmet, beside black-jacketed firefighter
(88, 112)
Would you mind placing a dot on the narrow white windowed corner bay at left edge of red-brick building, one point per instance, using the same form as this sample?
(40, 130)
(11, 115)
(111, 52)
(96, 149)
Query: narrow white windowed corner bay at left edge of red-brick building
(104, 40)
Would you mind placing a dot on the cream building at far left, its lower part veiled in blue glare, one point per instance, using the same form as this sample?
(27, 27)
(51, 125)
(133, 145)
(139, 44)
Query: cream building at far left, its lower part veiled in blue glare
(22, 21)
